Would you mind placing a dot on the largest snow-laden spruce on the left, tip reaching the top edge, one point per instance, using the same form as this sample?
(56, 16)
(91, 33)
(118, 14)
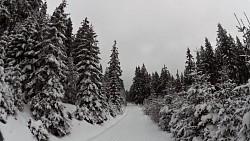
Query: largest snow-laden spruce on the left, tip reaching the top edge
(45, 84)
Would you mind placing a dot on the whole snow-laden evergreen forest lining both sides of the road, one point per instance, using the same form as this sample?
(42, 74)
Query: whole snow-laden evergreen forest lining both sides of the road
(46, 71)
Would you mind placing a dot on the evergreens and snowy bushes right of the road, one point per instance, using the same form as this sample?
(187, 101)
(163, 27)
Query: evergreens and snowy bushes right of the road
(210, 101)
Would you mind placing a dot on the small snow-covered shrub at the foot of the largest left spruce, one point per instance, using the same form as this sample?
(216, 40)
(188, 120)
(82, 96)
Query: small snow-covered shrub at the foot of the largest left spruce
(38, 130)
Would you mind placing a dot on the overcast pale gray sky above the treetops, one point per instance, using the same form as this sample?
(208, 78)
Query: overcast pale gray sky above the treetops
(154, 32)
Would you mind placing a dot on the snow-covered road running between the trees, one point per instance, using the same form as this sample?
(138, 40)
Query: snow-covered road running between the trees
(135, 126)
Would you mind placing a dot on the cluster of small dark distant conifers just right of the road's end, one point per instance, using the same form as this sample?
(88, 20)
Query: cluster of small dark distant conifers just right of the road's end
(145, 85)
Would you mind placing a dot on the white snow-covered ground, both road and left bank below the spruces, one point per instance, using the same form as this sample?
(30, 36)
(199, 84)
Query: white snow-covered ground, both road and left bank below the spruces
(132, 126)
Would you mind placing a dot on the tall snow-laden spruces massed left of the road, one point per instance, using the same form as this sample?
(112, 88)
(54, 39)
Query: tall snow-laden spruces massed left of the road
(44, 65)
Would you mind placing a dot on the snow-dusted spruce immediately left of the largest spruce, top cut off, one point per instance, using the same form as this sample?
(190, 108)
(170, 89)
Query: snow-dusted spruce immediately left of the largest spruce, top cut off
(19, 31)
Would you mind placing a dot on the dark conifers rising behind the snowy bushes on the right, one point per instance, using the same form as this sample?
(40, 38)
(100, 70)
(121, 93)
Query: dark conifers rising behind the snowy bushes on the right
(226, 63)
